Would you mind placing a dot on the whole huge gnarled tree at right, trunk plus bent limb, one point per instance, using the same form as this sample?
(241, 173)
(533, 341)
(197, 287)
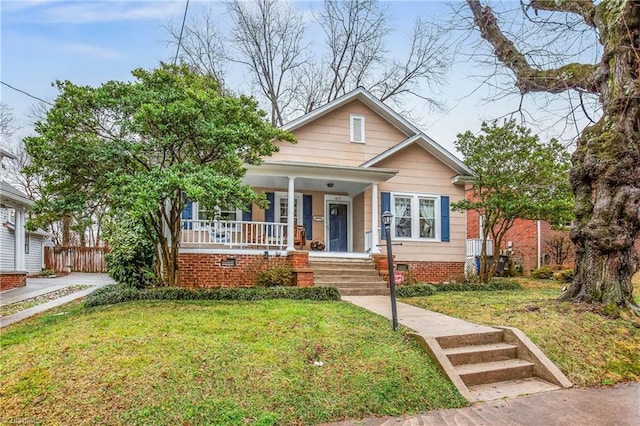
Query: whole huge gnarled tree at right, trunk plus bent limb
(606, 164)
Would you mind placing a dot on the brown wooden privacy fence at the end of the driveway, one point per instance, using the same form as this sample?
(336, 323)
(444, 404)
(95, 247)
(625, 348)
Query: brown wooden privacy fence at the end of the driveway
(75, 259)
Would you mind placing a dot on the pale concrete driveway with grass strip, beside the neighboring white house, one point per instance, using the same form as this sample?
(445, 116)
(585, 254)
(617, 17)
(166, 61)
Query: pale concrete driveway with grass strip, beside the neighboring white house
(39, 286)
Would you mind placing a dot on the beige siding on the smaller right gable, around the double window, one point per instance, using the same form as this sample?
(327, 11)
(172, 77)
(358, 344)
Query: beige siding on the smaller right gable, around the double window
(421, 173)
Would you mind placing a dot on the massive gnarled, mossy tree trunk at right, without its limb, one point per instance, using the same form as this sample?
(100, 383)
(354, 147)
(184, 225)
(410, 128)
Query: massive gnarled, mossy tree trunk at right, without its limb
(606, 172)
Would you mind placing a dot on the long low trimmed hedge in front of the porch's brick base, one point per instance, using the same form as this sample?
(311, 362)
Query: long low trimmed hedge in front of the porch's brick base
(119, 293)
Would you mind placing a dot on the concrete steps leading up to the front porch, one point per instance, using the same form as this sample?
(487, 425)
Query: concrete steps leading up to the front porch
(352, 277)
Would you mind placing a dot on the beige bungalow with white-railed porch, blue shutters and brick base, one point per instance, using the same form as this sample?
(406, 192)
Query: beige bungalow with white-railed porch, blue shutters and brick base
(355, 158)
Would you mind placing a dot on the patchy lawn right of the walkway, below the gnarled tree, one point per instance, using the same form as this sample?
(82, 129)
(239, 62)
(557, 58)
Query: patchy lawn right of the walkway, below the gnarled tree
(588, 347)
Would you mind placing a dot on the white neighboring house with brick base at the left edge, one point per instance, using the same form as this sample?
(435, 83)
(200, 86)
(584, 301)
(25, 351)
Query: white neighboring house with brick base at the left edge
(21, 252)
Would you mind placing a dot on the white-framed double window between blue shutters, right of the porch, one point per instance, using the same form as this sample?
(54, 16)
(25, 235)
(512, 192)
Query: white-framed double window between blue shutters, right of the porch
(415, 216)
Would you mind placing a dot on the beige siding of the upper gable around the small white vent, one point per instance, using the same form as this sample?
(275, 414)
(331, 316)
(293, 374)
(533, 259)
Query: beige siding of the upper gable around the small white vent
(327, 139)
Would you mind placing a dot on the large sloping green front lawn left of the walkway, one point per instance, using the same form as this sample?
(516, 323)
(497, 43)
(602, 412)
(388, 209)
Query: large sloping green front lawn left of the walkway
(206, 362)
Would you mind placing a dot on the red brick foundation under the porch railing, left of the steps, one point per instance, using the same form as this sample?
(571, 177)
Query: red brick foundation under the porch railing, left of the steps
(209, 270)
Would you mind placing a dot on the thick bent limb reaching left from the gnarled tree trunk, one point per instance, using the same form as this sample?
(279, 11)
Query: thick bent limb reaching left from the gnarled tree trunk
(571, 76)
